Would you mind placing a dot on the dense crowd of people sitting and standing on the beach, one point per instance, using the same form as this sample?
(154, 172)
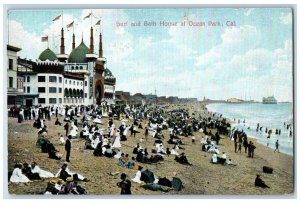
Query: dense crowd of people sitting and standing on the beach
(85, 123)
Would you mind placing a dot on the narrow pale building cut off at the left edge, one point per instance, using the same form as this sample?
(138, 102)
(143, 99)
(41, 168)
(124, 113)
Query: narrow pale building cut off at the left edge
(12, 79)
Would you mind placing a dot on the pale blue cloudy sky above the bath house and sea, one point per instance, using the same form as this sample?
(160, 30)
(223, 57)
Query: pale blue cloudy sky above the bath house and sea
(250, 60)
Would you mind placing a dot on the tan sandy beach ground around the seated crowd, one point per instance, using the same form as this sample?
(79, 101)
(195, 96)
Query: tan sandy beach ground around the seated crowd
(202, 178)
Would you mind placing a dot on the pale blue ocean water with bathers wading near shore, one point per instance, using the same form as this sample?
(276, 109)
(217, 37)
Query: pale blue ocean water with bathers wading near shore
(271, 116)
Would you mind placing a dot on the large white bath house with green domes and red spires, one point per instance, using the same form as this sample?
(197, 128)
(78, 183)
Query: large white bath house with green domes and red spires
(80, 78)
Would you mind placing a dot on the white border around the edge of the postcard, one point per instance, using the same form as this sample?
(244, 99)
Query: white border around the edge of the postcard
(119, 3)
